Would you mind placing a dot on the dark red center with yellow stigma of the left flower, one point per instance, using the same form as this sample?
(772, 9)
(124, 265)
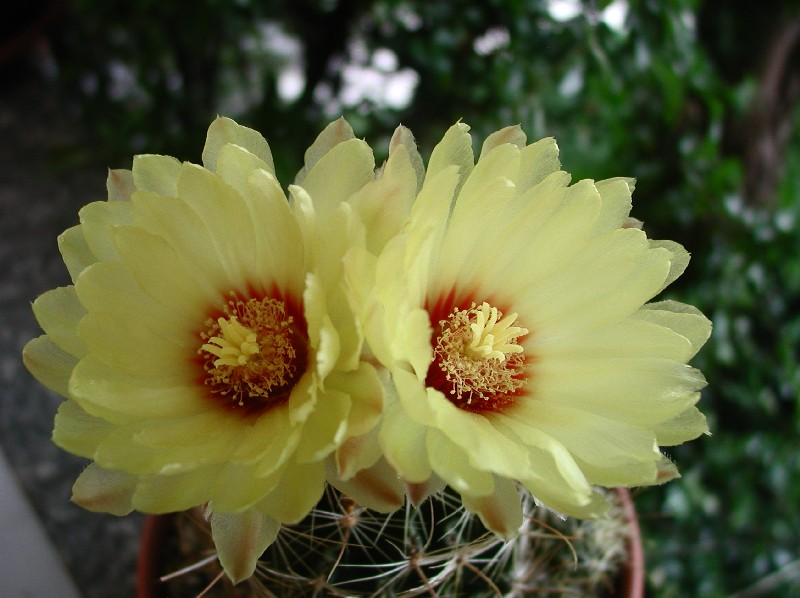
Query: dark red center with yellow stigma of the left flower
(253, 354)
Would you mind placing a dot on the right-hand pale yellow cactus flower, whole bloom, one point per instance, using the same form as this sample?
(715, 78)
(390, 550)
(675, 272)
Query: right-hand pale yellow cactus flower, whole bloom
(512, 313)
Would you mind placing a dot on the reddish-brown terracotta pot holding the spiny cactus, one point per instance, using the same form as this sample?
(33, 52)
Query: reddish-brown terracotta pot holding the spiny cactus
(155, 546)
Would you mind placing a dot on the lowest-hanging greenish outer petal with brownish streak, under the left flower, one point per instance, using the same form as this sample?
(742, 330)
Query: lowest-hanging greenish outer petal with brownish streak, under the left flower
(241, 538)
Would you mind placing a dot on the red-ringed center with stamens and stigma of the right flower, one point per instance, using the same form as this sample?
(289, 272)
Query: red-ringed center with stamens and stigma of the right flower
(477, 362)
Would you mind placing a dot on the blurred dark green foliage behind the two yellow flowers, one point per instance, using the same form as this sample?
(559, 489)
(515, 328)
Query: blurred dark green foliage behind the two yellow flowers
(668, 97)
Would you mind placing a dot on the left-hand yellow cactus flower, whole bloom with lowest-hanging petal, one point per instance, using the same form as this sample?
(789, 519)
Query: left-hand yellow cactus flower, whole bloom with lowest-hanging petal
(207, 349)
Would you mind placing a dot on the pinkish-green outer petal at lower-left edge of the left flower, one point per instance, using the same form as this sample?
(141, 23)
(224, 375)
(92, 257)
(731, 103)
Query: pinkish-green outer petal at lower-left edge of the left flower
(100, 490)
